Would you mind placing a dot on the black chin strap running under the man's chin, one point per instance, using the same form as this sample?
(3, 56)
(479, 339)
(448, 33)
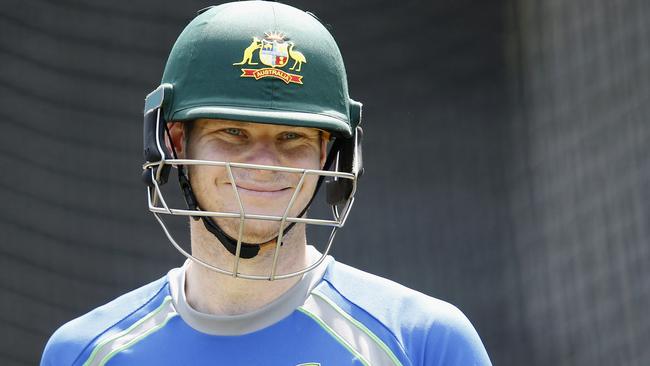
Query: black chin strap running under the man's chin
(248, 250)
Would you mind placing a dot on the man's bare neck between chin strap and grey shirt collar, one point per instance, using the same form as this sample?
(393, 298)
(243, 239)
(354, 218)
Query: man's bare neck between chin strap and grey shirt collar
(214, 293)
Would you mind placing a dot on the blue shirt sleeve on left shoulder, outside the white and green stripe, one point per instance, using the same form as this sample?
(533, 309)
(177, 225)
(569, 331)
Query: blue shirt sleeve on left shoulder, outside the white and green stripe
(74, 338)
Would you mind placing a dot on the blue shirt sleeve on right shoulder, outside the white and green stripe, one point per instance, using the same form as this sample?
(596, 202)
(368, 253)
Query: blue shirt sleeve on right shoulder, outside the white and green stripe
(427, 330)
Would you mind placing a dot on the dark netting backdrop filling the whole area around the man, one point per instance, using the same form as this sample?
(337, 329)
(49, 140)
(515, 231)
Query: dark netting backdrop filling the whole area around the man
(506, 152)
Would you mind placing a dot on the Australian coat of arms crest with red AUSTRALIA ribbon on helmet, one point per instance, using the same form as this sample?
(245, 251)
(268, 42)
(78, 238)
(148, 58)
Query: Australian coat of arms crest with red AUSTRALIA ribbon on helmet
(275, 52)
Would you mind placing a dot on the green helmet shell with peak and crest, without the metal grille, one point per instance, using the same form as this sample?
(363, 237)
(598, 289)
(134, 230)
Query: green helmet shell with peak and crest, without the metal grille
(261, 62)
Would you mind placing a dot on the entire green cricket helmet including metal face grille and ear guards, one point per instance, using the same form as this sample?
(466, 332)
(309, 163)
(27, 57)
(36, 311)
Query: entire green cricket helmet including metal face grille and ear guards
(254, 61)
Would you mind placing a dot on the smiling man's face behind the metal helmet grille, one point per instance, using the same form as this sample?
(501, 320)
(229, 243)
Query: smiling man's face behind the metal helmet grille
(262, 192)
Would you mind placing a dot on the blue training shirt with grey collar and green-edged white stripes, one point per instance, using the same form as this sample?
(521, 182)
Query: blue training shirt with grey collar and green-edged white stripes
(335, 315)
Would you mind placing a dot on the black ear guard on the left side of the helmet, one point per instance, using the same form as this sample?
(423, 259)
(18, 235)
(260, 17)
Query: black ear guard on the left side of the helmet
(154, 136)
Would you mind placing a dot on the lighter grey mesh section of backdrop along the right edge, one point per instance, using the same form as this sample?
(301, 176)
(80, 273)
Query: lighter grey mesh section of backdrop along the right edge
(580, 180)
